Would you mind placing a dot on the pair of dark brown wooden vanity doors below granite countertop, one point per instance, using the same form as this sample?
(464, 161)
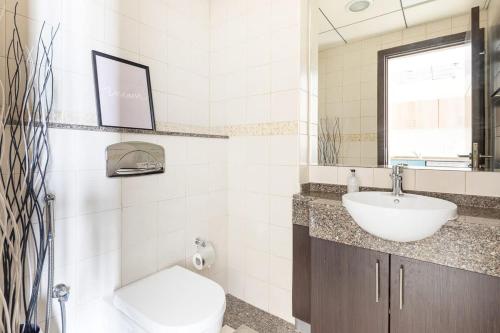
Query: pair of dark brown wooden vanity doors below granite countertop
(355, 290)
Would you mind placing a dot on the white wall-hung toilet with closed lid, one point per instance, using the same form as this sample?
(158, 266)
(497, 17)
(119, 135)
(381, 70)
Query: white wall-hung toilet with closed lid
(173, 300)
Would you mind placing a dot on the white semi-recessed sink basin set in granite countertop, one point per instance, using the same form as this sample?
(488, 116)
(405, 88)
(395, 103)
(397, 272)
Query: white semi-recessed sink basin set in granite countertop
(405, 218)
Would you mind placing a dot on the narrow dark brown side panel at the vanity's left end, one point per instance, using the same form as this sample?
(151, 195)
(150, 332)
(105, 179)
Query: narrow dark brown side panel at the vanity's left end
(301, 290)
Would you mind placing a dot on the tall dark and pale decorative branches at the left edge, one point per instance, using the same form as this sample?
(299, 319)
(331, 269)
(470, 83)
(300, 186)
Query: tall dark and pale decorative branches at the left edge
(24, 156)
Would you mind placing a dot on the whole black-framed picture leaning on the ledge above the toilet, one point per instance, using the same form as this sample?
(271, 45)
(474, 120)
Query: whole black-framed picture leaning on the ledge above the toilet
(123, 93)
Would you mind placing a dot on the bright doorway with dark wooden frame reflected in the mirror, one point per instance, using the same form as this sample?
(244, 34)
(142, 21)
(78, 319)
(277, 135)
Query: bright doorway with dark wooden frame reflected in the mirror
(424, 106)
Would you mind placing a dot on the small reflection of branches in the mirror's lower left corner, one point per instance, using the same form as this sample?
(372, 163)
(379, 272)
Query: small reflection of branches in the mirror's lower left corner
(329, 141)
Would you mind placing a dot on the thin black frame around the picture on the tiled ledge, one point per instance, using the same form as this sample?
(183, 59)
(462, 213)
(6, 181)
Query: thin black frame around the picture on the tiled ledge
(95, 55)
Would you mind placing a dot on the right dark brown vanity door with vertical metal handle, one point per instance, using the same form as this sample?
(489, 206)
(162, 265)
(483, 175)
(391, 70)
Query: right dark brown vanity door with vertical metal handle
(432, 298)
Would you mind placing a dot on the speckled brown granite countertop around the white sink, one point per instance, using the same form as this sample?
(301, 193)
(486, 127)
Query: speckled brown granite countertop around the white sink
(471, 242)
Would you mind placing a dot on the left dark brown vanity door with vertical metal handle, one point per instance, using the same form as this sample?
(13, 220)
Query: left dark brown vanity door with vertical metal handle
(349, 287)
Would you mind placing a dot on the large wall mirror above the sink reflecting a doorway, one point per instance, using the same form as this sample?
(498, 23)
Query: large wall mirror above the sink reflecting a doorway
(412, 82)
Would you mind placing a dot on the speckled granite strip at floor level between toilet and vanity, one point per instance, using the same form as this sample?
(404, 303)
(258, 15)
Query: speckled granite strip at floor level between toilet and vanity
(240, 313)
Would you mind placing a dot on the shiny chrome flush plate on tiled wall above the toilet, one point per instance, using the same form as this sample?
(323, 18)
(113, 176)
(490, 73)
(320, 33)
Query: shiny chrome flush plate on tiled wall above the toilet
(134, 158)
